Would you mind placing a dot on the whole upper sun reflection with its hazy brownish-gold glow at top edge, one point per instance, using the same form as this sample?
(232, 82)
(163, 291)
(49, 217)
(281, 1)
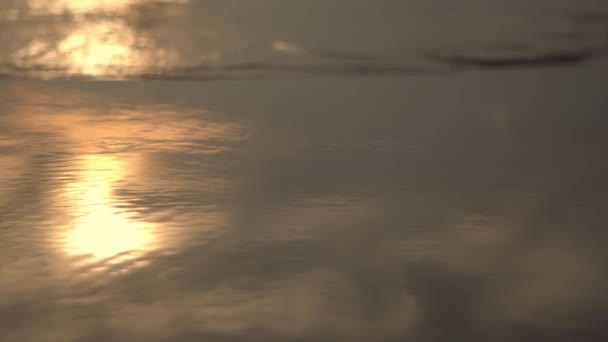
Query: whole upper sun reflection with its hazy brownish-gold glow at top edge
(118, 38)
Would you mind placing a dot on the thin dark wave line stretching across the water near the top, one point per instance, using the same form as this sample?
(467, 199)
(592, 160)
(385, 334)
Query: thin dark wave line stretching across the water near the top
(429, 64)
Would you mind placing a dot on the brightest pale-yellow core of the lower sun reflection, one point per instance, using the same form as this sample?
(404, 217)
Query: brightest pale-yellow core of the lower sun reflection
(99, 229)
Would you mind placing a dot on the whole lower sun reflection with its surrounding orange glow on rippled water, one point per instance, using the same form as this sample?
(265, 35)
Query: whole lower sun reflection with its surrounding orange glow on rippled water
(114, 200)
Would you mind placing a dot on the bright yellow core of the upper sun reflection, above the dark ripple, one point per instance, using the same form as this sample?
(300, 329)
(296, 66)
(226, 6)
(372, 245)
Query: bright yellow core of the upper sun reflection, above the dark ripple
(93, 46)
